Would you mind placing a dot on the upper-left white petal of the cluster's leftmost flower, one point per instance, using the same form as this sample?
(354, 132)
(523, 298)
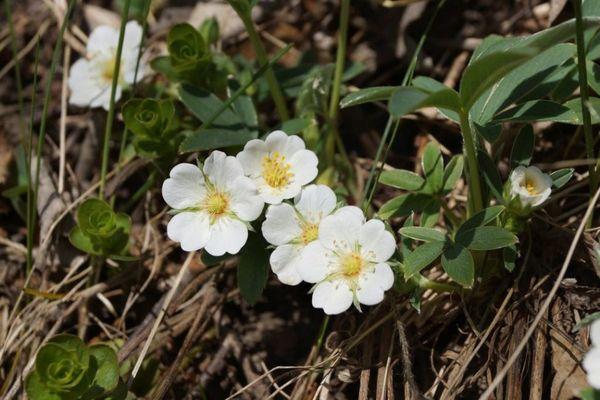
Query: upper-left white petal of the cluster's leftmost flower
(185, 187)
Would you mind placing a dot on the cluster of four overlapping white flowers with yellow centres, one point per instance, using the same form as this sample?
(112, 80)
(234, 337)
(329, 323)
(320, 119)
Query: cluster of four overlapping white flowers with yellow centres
(335, 248)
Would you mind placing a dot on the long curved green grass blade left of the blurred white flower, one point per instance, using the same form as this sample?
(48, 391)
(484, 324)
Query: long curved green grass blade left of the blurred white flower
(44, 119)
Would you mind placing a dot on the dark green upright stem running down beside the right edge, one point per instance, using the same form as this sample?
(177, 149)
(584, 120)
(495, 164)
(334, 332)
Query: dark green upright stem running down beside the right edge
(583, 87)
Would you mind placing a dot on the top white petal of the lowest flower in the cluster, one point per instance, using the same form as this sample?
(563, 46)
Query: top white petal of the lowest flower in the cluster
(341, 230)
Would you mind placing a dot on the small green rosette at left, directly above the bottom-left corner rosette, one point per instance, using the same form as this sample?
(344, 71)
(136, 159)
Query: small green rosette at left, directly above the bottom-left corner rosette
(99, 230)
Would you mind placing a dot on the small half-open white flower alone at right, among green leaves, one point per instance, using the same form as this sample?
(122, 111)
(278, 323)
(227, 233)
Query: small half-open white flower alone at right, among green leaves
(530, 185)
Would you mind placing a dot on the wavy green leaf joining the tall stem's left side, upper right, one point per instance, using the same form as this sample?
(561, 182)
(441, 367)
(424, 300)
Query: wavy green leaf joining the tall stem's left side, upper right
(406, 99)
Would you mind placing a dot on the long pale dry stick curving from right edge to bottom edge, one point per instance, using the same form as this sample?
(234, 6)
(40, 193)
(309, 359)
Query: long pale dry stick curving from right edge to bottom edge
(498, 379)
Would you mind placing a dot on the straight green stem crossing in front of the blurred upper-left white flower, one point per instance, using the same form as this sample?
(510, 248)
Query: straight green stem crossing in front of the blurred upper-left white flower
(113, 91)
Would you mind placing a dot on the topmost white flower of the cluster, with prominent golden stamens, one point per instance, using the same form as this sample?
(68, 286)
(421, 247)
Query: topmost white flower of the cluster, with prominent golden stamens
(280, 165)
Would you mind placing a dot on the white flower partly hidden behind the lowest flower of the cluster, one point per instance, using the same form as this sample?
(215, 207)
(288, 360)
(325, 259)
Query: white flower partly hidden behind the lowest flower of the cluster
(292, 228)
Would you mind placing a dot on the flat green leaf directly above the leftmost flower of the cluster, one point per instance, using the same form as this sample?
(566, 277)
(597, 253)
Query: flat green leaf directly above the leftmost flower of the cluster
(213, 138)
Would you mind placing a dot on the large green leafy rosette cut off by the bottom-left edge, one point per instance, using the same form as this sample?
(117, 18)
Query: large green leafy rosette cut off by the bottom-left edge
(65, 368)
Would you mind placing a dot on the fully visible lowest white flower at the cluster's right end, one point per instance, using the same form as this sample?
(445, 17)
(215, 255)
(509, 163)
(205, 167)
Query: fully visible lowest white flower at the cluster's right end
(348, 262)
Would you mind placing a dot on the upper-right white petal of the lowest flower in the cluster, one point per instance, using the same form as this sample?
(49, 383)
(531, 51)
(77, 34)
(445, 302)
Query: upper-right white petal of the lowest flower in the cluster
(377, 244)
